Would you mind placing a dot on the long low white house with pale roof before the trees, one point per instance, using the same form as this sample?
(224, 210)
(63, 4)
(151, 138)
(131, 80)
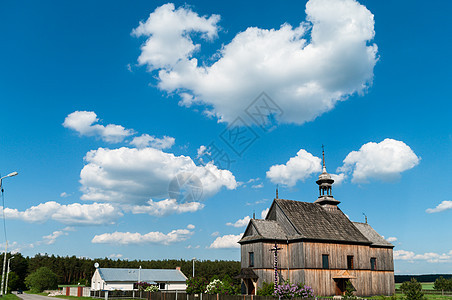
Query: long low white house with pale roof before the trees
(124, 279)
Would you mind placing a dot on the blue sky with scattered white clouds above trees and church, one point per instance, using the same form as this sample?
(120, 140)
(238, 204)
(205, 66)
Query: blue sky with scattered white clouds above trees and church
(104, 104)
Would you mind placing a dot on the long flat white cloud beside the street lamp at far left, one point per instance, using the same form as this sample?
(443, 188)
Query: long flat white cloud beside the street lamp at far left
(74, 214)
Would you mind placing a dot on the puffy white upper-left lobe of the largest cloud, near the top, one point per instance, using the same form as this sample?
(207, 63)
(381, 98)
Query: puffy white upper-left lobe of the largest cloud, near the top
(168, 31)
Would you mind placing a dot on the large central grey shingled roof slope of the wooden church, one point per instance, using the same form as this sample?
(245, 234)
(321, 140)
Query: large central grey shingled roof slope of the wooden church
(312, 221)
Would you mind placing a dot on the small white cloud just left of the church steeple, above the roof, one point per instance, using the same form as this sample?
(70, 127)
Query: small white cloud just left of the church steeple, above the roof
(297, 168)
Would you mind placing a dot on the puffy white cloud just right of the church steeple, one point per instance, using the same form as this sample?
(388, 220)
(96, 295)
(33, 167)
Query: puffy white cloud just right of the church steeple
(384, 161)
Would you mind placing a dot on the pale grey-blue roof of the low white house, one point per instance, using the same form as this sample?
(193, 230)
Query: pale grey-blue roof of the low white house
(146, 275)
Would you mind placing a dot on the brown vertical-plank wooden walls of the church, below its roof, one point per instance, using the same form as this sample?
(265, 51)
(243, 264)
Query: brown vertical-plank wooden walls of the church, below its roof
(305, 265)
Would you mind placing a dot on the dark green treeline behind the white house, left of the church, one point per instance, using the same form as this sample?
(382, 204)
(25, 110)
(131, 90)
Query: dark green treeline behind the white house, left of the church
(79, 270)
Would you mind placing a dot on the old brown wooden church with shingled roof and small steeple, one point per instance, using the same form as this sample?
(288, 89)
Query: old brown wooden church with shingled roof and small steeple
(316, 245)
